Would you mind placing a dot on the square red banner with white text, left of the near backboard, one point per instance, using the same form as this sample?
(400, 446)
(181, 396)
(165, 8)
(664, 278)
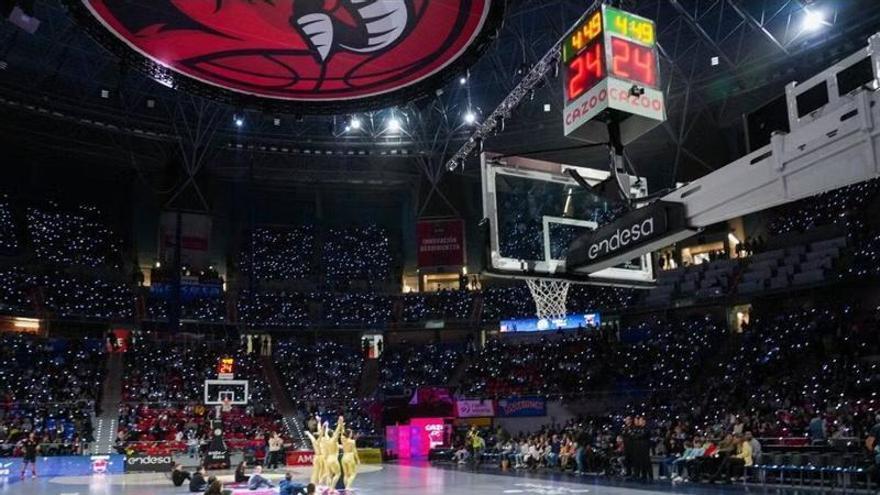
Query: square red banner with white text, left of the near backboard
(440, 242)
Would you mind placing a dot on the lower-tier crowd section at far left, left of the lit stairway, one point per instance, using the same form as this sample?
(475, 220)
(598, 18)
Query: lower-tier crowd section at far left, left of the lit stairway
(48, 387)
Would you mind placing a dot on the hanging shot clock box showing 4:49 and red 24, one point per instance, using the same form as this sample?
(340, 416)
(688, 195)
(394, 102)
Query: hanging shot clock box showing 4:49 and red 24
(610, 72)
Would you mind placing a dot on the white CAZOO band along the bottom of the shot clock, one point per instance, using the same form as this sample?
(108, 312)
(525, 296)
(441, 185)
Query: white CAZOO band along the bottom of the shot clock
(613, 94)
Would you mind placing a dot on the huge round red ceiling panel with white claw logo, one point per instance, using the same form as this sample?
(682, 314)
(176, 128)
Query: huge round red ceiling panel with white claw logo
(300, 55)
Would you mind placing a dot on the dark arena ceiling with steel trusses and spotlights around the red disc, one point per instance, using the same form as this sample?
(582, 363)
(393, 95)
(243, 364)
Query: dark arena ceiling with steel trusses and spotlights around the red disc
(64, 92)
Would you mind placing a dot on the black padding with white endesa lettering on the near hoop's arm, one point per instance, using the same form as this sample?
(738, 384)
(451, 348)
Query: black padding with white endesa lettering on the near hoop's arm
(634, 229)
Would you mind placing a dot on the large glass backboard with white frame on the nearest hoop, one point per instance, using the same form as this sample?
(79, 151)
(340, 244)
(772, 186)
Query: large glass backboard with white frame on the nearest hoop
(535, 211)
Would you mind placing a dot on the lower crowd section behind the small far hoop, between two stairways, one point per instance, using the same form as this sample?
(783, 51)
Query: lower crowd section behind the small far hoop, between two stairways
(163, 406)
